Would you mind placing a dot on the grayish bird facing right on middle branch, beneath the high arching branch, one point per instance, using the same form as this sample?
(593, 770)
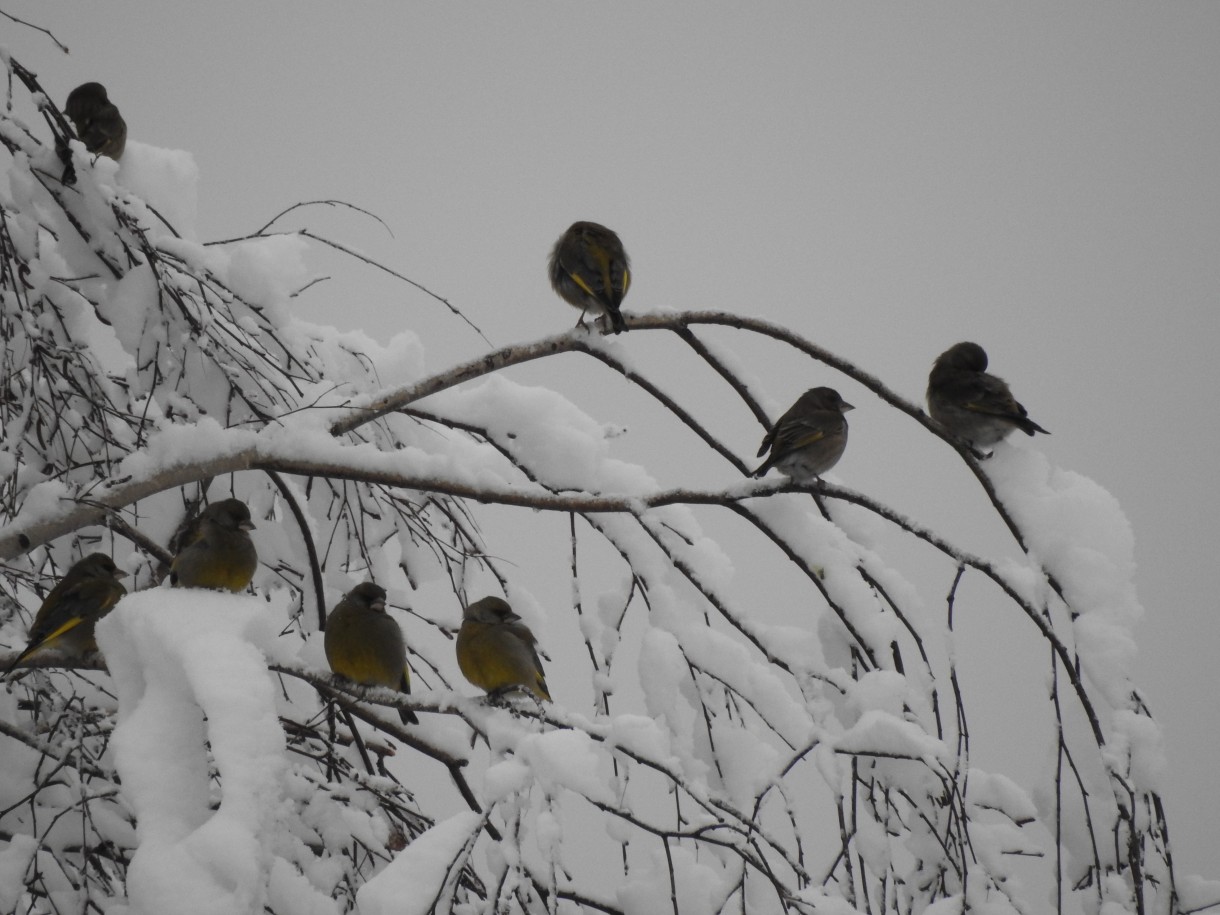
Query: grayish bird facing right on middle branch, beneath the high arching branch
(808, 440)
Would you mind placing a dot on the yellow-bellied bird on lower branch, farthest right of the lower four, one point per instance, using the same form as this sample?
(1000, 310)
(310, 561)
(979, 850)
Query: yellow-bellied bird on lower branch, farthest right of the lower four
(497, 652)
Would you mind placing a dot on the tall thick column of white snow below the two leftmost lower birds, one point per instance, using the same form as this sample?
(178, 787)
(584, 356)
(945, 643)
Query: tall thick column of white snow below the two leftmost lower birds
(193, 694)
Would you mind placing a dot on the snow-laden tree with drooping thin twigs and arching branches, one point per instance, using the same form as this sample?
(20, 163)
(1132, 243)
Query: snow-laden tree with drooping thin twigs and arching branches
(712, 750)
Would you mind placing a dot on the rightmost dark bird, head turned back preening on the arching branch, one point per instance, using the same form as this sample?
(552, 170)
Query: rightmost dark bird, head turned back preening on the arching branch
(972, 404)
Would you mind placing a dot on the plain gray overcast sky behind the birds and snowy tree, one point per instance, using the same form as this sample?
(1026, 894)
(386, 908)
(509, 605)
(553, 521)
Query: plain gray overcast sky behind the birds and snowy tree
(885, 179)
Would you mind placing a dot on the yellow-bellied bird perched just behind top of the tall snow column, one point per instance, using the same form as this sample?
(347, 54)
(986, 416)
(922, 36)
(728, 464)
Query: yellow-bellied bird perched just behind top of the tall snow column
(217, 550)
